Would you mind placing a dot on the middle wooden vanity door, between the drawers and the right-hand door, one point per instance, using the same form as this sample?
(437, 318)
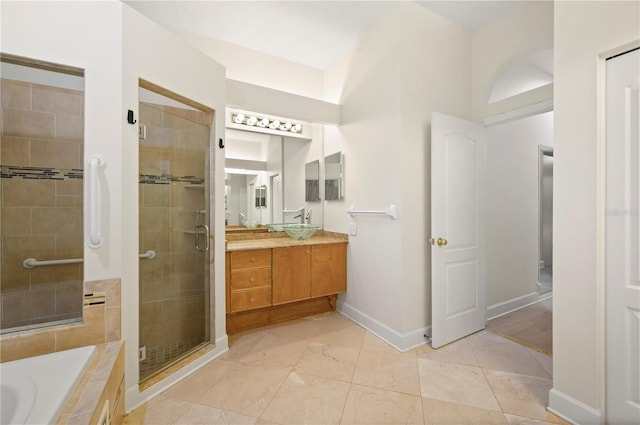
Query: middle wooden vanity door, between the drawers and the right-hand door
(291, 274)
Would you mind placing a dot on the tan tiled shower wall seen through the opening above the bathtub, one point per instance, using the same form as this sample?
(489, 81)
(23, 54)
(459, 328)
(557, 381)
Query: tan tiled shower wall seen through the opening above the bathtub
(41, 154)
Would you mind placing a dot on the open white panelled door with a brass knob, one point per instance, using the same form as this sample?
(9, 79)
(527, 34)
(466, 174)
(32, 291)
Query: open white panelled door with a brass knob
(457, 253)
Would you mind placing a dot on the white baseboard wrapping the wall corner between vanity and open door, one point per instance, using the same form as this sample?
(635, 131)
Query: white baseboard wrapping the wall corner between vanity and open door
(402, 342)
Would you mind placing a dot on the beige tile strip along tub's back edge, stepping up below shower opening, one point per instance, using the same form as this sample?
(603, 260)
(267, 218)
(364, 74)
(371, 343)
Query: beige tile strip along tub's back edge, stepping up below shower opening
(101, 324)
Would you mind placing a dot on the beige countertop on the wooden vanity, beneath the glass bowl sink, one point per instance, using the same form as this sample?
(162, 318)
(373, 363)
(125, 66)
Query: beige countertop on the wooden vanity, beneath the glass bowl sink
(280, 239)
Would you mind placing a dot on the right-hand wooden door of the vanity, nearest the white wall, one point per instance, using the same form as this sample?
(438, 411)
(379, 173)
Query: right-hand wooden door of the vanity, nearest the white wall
(328, 269)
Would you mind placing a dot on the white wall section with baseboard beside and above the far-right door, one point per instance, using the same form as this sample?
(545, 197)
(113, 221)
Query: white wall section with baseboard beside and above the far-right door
(583, 31)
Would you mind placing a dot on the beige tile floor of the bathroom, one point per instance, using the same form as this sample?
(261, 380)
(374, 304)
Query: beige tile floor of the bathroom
(327, 369)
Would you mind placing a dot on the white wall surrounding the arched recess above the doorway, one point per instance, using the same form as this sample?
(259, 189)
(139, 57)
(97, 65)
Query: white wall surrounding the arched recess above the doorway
(523, 29)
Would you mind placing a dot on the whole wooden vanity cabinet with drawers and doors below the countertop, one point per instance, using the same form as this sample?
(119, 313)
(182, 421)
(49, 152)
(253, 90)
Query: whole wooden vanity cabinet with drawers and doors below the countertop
(272, 285)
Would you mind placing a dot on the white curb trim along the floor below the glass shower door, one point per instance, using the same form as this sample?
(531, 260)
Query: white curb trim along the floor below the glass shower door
(136, 398)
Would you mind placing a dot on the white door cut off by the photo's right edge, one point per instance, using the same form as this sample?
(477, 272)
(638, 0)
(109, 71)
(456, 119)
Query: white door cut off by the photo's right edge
(623, 240)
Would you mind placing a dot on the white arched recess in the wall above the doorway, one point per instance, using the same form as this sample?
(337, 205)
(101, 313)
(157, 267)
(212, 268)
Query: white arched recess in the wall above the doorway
(523, 72)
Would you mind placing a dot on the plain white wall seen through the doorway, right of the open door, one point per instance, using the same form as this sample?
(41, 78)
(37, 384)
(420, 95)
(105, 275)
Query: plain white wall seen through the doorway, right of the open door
(511, 208)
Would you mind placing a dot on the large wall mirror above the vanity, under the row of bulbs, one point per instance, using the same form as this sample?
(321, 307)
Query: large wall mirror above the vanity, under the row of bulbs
(265, 178)
